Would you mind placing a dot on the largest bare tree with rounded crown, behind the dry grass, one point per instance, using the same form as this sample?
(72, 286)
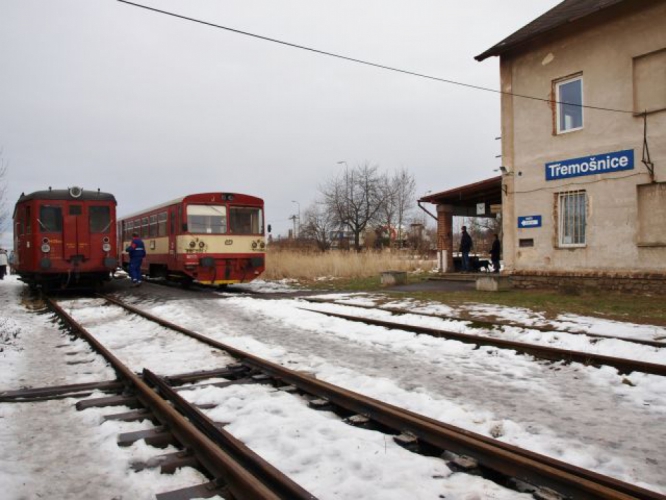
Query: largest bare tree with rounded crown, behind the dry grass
(354, 199)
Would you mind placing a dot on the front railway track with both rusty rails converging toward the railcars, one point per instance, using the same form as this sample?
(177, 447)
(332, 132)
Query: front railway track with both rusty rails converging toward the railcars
(501, 462)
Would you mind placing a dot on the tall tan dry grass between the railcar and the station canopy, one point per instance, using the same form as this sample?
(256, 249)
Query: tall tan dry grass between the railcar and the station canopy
(304, 265)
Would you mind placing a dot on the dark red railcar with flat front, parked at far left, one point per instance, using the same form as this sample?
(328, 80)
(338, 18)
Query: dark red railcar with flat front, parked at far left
(64, 238)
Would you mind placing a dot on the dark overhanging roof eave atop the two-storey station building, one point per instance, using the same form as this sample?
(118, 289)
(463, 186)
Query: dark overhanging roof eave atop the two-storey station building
(564, 13)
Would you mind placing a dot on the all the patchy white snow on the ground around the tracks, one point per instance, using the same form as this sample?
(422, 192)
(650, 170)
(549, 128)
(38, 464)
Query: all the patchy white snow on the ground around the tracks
(586, 416)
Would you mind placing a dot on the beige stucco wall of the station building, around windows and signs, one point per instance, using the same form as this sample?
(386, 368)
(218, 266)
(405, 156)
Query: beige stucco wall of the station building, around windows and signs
(604, 54)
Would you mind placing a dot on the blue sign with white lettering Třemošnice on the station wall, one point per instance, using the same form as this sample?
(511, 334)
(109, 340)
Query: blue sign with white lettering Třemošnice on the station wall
(590, 165)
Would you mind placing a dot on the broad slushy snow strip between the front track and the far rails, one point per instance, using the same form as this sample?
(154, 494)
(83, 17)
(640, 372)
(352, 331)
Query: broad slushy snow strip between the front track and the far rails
(587, 416)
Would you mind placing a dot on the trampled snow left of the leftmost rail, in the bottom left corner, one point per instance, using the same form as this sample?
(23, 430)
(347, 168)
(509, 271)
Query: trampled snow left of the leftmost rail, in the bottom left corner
(50, 450)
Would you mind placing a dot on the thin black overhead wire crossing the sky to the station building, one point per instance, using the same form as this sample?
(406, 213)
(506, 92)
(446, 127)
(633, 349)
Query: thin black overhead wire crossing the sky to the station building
(369, 63)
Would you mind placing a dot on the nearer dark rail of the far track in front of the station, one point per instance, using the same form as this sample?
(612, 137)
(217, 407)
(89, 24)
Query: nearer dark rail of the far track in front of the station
(623, 365)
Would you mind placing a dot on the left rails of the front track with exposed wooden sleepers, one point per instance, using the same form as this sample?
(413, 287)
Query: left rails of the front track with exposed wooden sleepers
(235, 471)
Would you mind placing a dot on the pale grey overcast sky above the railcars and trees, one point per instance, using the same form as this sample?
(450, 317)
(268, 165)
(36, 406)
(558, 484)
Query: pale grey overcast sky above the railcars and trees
(148, 107)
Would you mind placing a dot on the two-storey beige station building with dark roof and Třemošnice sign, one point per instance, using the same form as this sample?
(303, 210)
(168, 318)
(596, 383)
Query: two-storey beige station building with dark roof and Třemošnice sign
(583, 186)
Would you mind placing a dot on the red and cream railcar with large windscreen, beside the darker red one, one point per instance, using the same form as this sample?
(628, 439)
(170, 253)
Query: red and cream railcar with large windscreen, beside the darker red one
(210, 238)
